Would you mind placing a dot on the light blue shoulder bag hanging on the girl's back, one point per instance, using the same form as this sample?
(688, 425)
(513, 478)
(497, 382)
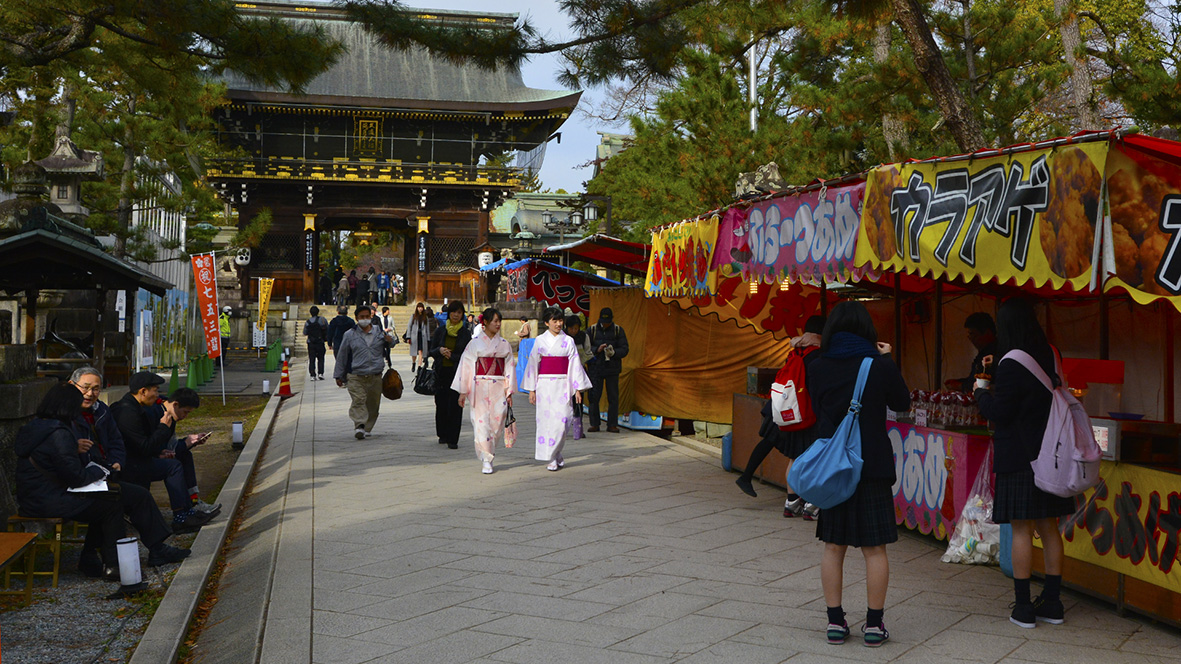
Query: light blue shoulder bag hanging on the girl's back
(828, 473)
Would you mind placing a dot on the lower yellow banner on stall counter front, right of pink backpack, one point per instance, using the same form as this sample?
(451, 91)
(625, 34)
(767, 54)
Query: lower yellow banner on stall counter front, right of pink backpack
(1131, 524)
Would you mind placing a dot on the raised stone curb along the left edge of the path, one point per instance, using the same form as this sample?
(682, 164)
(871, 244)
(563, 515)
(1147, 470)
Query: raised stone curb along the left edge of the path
(162, 641)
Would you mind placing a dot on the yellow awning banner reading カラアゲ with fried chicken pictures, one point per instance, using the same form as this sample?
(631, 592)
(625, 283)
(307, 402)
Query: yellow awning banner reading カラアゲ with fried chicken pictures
(1025, 218)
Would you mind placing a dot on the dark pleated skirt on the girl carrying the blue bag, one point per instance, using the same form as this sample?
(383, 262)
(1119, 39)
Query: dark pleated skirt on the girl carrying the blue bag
(866, 519)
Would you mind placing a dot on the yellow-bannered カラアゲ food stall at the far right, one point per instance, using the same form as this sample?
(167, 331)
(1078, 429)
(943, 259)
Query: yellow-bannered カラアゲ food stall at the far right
(1088, 226)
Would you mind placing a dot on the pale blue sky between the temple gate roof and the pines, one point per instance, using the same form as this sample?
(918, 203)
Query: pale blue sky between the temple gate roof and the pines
(579, 139)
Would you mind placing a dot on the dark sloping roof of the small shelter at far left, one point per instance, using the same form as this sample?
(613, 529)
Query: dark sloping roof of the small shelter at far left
(51, 253)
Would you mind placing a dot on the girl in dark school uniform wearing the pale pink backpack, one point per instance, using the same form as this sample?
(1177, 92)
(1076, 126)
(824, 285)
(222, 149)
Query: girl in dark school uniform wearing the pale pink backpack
(1019, 408)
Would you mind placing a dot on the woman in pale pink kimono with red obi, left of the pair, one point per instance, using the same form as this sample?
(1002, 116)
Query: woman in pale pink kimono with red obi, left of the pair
(486, 376)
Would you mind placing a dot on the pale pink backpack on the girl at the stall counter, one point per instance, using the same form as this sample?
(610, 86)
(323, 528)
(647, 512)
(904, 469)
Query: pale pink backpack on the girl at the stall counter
(1069, 460)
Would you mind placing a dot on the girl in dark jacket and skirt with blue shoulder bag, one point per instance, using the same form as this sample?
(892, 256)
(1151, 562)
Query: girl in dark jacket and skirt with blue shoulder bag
(867, 519)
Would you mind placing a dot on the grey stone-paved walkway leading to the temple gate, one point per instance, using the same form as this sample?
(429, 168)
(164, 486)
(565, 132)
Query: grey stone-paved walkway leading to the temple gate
(397, 550)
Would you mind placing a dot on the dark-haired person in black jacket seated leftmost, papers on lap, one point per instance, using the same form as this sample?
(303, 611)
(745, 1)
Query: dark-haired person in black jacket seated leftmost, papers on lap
(50, 463)
